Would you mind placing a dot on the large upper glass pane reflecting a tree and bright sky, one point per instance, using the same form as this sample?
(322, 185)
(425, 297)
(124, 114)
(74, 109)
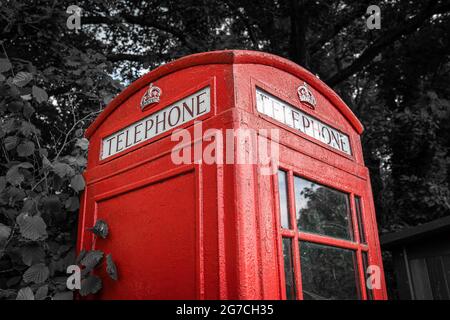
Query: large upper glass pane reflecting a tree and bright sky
(322, 210)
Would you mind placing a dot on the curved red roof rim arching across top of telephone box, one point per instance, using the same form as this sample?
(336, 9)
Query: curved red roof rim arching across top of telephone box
(229, 57)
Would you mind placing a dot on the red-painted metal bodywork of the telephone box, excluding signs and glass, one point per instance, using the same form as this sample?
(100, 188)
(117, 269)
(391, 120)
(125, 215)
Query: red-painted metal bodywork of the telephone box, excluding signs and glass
(198, 231)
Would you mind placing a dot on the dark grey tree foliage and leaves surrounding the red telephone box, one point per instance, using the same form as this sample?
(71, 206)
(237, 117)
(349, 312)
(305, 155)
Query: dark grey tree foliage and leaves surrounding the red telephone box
(54, 81)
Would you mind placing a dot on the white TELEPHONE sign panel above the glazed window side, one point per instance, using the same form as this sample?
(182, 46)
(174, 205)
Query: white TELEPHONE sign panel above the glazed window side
(297, 119)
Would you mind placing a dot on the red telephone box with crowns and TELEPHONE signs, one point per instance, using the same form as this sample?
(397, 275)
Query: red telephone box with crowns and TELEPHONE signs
(198, 229)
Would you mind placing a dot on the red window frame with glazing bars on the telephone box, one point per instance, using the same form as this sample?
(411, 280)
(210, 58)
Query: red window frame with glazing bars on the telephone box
(296, 236)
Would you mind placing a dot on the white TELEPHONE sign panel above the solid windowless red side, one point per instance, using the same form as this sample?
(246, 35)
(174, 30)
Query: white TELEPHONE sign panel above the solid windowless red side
(172, 116)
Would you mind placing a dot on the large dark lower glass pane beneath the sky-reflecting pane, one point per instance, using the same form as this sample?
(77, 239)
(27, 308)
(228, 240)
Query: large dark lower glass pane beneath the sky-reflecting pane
(328, 272)
